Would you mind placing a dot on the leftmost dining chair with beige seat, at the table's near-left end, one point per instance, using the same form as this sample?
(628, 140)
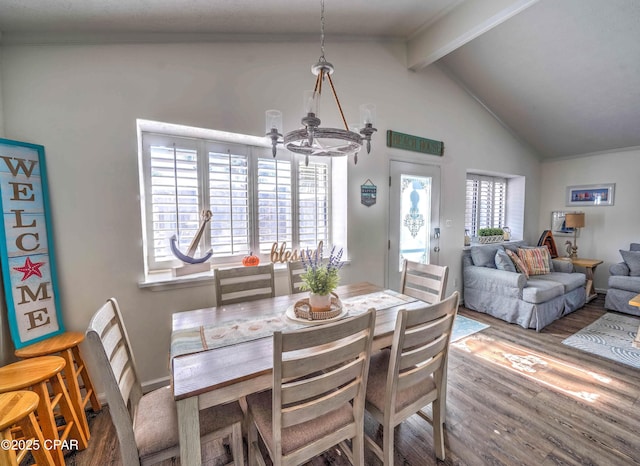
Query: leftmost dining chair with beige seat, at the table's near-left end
(147, 424)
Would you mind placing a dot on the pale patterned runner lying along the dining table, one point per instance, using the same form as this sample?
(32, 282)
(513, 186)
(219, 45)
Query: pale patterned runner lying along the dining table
(208, 337)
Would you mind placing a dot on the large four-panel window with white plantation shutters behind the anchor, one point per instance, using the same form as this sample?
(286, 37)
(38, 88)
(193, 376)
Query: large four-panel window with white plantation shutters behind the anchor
(255, 200)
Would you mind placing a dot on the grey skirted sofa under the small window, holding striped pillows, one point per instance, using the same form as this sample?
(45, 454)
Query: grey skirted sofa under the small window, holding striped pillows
(531, 303)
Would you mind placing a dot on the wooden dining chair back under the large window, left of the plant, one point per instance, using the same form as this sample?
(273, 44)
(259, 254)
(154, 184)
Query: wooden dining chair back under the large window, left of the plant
(239, 284)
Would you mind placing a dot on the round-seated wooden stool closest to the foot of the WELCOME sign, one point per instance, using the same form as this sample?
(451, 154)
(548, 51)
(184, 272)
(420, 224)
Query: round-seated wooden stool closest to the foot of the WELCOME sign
(66, 345)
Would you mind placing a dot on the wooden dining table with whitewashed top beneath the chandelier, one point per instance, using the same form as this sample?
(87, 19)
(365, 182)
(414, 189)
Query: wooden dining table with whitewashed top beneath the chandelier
(216, 376)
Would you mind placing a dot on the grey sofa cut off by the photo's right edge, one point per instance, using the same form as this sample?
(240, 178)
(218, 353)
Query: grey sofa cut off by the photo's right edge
(623, 285)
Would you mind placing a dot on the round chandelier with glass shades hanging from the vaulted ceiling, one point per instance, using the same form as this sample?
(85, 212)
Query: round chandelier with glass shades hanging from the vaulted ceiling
(312, 139)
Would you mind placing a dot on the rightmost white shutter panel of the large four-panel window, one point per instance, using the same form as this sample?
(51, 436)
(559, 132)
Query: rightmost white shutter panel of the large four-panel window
(313, 204)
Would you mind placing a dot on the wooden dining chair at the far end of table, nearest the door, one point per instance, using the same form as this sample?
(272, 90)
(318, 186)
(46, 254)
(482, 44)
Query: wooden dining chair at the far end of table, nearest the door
(427, 282)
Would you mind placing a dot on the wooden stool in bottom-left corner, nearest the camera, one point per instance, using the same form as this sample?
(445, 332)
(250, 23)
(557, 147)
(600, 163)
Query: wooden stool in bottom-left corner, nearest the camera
(16, 409)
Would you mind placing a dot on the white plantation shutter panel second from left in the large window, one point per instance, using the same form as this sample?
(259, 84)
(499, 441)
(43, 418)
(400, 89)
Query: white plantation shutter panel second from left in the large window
(229, 203)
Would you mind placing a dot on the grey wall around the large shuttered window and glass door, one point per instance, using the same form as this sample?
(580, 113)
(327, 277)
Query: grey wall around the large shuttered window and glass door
(81, 103)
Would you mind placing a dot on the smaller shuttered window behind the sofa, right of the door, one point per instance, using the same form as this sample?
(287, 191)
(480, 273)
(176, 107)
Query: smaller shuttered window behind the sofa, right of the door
(486, 202)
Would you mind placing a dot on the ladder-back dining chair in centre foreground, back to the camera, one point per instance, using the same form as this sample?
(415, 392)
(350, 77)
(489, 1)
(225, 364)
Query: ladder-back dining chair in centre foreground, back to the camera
(317, 401)
